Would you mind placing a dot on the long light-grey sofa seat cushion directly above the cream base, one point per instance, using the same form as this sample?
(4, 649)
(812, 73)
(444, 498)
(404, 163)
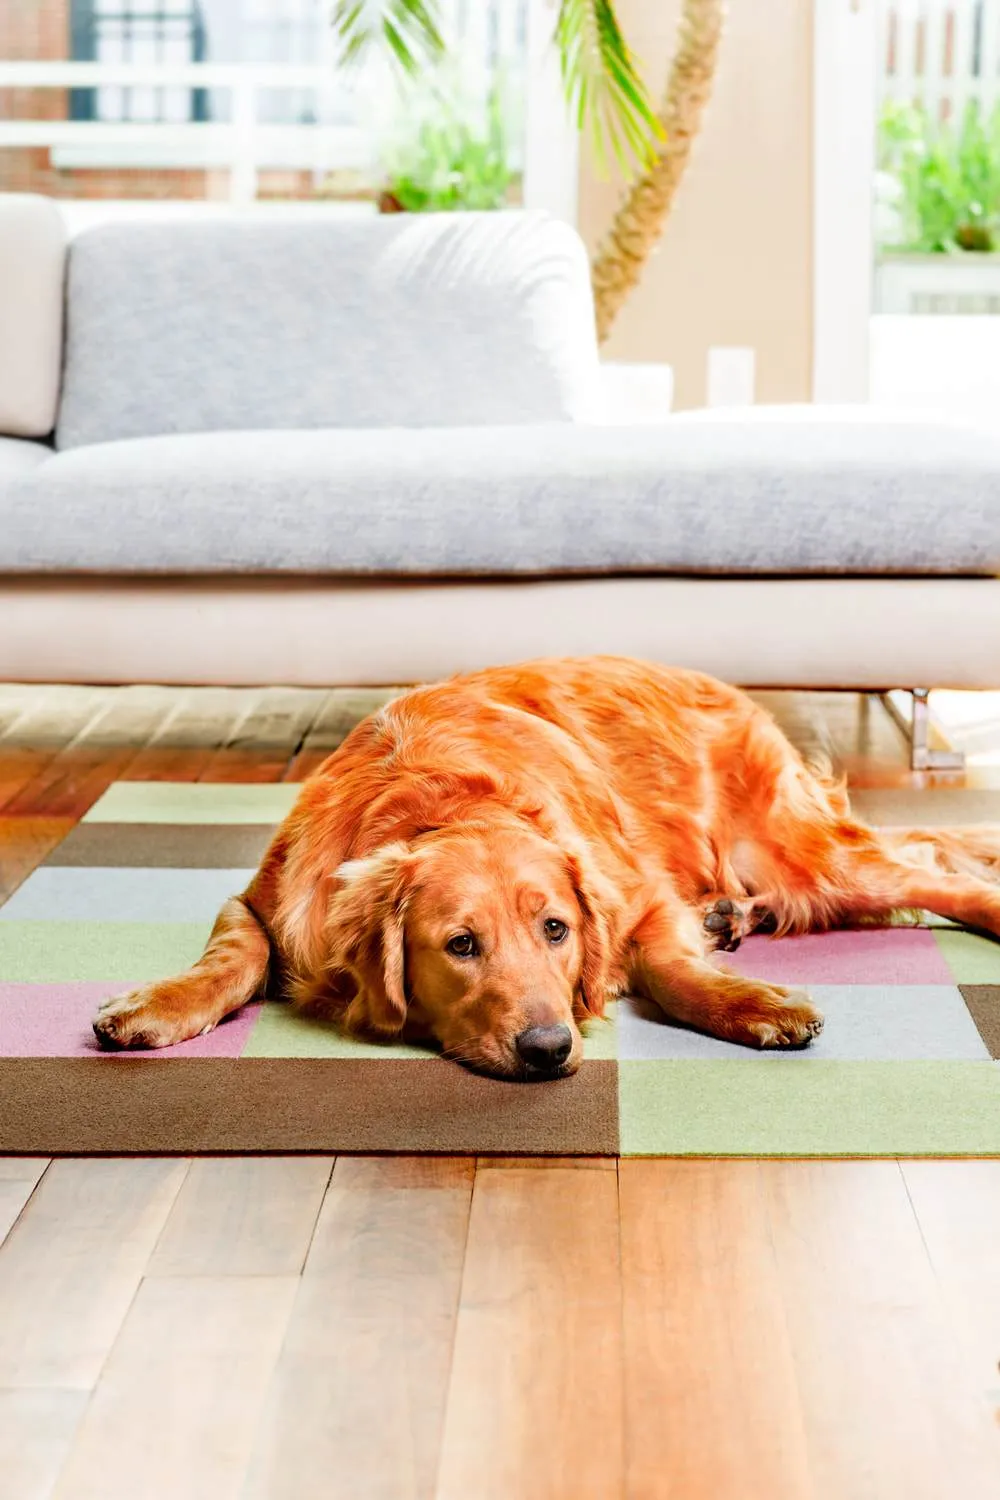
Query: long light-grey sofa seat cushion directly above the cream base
(687, 497)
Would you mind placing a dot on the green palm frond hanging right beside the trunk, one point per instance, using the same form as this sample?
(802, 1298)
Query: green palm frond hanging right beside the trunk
(603, 83)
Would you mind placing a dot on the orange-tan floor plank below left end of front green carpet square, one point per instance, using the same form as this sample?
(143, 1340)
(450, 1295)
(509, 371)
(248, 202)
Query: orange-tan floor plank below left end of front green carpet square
(711, 1396)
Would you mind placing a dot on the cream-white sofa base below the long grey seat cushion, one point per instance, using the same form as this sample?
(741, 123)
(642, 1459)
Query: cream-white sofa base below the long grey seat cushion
(825, 634)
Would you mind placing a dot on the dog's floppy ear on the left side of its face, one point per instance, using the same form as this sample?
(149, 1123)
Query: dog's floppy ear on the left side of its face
(367, 928)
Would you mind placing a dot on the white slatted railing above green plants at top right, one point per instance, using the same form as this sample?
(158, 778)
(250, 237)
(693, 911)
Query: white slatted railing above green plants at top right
(941, 53)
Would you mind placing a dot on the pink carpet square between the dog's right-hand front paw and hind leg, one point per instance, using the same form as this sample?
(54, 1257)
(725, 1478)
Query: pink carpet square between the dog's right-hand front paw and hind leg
(864, 956)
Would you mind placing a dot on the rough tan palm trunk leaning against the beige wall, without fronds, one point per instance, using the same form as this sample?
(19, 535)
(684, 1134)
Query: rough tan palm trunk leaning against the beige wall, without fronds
(644, 211)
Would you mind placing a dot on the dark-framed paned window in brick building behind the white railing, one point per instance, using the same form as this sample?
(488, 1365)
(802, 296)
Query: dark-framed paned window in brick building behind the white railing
(139, 32)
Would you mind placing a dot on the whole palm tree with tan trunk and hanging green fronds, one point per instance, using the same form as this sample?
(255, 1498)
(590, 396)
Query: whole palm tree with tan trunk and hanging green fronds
(608, 97)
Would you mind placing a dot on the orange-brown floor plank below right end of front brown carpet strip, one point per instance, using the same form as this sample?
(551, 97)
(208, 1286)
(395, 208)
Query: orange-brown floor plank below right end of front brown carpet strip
(536, 1396)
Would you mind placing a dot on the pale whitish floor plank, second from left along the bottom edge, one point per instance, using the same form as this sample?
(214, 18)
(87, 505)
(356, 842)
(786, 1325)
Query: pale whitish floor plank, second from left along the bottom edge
(179, 1402)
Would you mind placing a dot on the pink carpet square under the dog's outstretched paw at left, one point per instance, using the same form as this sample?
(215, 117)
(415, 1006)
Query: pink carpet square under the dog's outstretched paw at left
(55, 1021)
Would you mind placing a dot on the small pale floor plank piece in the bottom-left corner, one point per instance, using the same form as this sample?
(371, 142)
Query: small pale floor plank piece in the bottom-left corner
(37, 1432)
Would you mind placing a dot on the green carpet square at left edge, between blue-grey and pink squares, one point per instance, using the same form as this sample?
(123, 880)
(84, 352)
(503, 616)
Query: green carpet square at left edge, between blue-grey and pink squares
(121, 953)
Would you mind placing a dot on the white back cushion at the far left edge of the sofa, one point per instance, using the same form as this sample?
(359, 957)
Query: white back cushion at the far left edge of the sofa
(32, 269)
